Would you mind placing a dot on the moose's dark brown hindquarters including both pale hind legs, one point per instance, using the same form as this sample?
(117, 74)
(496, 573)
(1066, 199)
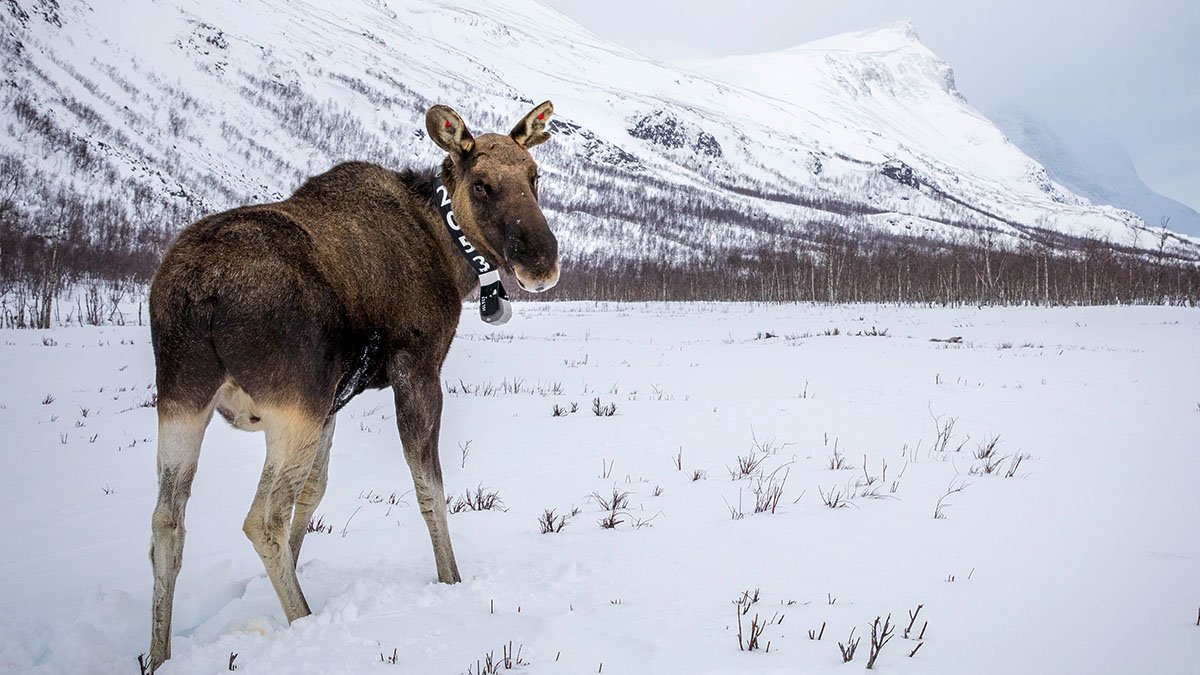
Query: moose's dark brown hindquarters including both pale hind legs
(268, 351)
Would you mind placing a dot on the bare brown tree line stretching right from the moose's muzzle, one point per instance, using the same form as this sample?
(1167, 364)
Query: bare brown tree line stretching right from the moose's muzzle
(859, 266)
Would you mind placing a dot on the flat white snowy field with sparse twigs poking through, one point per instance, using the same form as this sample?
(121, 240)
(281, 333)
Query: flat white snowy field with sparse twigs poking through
(1072, 549)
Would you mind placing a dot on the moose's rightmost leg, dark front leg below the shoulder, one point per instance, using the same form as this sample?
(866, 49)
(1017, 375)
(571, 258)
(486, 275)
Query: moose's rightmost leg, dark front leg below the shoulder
(419, 419)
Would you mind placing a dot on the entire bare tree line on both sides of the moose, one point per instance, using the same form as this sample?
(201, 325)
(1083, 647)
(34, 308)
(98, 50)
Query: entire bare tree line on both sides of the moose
(71, 241)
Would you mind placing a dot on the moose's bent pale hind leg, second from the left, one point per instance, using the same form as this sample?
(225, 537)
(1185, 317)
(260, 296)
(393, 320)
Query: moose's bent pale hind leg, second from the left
(293, 438)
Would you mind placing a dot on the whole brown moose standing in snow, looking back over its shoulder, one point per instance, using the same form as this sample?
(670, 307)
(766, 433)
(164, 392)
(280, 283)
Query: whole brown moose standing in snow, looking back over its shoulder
(277, 315)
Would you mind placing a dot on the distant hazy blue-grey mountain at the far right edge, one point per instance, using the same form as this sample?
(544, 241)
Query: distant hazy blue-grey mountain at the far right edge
(1095, 169)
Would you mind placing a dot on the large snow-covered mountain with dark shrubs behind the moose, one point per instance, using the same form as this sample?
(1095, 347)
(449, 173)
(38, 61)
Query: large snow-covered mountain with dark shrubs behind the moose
(164, 110)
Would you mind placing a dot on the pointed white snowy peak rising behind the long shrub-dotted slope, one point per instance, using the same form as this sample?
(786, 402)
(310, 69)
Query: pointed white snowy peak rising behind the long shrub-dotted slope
(883, 97)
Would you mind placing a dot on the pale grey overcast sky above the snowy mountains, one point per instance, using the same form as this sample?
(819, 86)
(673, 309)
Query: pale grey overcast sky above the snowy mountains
(1127, 69)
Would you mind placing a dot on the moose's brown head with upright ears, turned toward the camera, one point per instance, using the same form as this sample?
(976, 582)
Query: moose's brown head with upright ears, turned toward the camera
(494, 189)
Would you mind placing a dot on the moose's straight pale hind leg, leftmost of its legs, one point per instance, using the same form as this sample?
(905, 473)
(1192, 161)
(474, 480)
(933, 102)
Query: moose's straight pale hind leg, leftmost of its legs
(179, 449)
